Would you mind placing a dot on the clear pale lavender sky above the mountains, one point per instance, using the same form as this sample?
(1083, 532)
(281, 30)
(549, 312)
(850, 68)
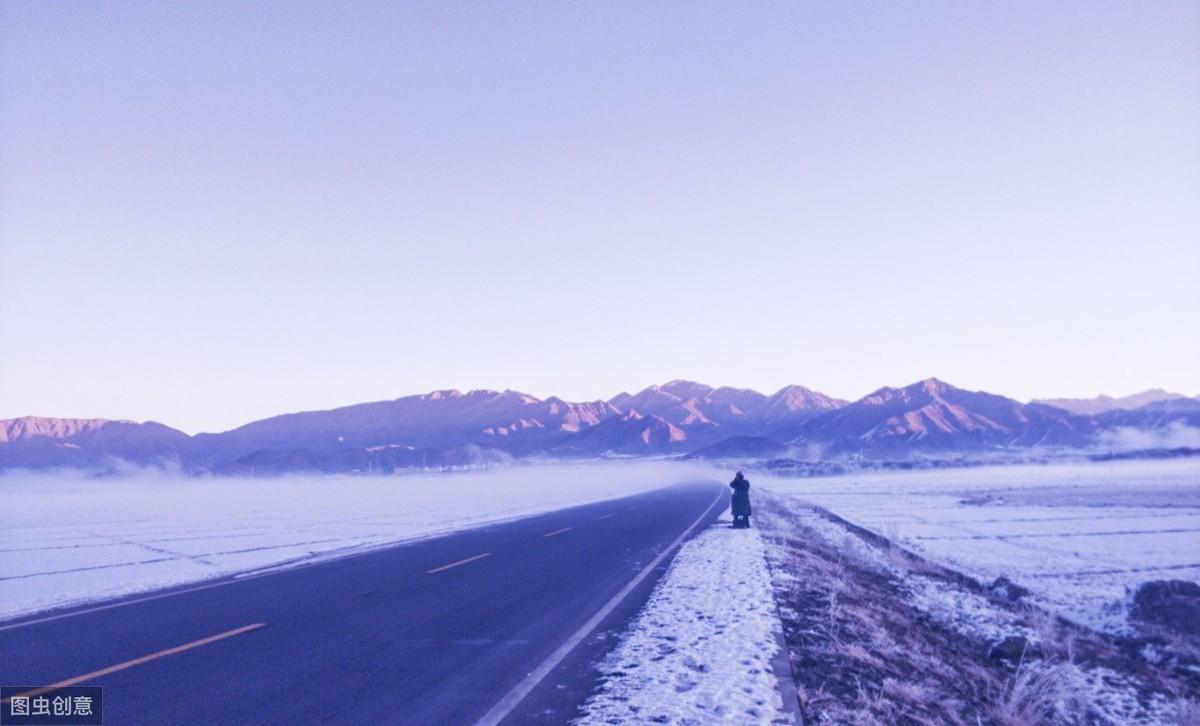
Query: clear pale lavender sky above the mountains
(213, 213)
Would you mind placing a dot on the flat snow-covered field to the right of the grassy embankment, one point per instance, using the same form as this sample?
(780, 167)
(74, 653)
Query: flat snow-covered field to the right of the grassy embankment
(1079, 537)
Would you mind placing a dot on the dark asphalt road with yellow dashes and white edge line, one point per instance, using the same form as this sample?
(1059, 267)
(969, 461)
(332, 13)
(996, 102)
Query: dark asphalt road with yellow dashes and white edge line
(481, 625)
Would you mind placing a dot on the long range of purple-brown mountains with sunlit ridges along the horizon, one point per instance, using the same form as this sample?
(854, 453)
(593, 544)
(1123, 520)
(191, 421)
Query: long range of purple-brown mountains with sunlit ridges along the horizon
(451, 428)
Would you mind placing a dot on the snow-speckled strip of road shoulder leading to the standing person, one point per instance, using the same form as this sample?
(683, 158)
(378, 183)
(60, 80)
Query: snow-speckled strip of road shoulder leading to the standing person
(701, 650)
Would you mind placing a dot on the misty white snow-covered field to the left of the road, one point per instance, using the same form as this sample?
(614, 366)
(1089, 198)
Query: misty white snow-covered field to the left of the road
(68, 541)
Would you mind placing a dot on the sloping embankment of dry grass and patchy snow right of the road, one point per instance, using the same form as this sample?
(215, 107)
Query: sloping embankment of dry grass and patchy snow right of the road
(878, 637)
